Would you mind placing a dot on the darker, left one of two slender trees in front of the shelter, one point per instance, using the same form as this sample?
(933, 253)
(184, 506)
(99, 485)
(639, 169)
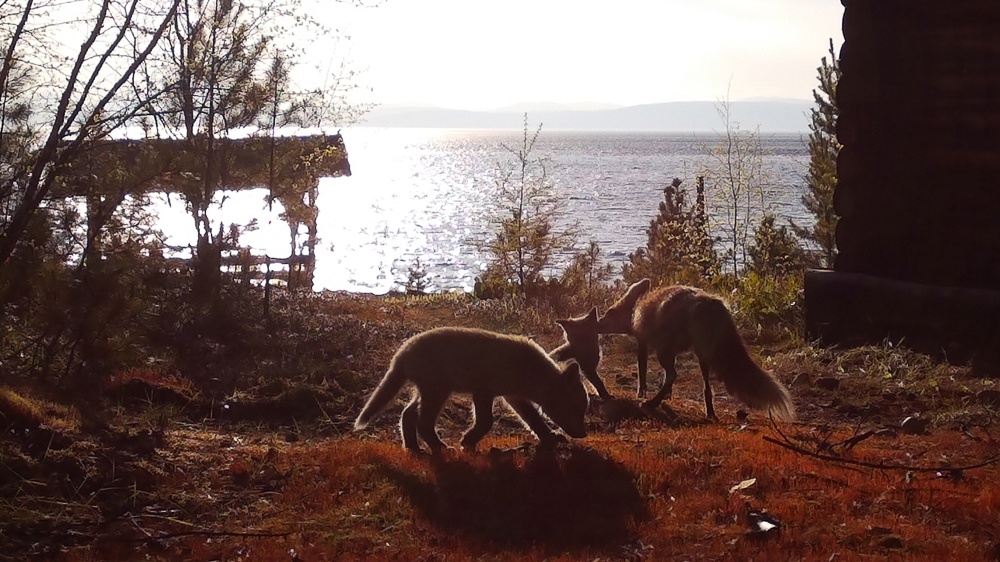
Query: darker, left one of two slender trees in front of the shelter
(216, 80)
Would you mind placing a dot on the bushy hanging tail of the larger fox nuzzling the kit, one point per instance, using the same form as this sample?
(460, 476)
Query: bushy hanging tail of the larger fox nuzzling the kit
(718, 342)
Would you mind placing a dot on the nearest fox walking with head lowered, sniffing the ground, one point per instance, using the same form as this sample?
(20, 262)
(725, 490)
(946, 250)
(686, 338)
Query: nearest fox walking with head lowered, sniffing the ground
(449, 360)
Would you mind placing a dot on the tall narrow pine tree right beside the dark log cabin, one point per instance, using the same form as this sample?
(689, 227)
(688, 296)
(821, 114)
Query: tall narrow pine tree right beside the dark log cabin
(823, 150)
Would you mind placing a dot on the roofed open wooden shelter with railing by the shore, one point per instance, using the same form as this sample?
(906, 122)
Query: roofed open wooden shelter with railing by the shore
(290, 167)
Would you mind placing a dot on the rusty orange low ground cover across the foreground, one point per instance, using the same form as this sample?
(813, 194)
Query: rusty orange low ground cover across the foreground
(641, 492)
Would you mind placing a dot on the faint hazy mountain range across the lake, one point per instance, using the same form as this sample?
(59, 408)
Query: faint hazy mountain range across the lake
(694, 116)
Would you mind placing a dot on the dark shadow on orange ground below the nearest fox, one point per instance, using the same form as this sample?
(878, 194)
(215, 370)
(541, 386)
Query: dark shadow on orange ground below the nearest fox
(563, 500)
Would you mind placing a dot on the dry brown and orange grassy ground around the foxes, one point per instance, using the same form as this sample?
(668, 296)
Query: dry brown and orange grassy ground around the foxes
(680, 487)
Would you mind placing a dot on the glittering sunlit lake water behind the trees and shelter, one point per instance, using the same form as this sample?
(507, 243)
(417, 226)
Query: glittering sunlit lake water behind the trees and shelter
(426, 193)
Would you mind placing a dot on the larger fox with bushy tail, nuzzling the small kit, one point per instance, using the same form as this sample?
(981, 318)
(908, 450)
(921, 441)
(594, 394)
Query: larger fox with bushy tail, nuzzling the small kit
(677, 318)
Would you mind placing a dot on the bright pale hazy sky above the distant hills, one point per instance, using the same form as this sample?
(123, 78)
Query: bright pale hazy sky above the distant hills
(485, 54)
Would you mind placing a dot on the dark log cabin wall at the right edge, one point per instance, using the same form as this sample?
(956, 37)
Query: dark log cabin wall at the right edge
(919, 181)
